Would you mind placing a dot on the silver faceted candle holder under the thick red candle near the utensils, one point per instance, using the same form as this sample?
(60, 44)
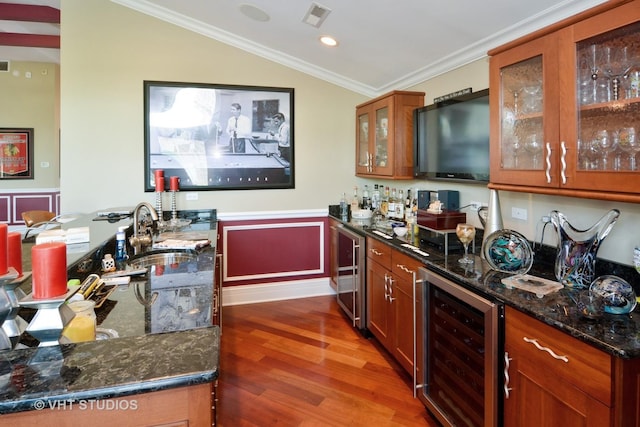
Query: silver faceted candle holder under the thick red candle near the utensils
(50, 319)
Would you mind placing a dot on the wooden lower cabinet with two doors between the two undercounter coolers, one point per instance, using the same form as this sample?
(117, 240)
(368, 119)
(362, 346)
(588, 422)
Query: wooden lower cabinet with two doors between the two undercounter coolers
(394, 301)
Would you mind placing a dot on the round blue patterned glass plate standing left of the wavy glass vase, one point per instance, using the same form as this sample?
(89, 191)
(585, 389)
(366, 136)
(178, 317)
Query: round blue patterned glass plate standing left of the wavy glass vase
(508, 251)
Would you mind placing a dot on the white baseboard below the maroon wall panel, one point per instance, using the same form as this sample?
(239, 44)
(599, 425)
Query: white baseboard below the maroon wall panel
(277, 291)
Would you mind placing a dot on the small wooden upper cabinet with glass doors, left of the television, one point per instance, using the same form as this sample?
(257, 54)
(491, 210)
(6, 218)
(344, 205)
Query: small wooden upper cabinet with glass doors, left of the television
(384, 135)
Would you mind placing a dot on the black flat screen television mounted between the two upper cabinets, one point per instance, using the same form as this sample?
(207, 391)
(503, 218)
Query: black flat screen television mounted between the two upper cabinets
(451, 139)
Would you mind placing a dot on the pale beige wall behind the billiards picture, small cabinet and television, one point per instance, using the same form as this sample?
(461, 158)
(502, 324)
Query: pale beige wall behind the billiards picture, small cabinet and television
(108, 51)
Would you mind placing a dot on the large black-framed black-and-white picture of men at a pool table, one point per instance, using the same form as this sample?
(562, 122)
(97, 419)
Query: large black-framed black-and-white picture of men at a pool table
(218, 137)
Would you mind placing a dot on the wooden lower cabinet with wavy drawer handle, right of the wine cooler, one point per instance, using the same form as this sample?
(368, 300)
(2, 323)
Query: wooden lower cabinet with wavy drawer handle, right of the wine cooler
(552, 378)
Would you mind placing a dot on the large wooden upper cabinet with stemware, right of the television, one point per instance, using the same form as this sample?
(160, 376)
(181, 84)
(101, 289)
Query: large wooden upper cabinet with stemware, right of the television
(563, 107)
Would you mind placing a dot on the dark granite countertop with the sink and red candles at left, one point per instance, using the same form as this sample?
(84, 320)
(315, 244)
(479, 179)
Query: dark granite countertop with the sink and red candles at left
(165, 344)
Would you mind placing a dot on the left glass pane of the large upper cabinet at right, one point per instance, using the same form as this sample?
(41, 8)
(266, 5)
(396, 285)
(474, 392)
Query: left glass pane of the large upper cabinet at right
(522, 119)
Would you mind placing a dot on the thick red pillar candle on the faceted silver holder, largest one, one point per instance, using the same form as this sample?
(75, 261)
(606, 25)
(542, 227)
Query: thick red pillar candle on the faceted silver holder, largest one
(49, 270)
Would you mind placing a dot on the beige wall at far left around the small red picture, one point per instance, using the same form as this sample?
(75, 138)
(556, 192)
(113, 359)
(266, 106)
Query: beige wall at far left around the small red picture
(33, 102)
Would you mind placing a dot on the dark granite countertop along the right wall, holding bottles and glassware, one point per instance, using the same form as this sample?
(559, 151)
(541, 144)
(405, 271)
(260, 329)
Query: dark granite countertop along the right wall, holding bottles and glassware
(618, 335)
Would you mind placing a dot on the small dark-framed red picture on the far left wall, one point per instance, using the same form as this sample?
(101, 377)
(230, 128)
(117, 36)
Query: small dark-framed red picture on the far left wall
(16, 153)
